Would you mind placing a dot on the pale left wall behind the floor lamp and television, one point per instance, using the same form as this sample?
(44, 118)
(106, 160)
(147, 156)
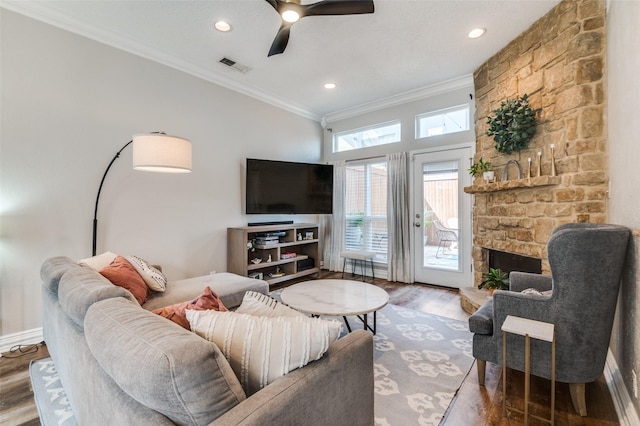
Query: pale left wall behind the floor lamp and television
(68, 105)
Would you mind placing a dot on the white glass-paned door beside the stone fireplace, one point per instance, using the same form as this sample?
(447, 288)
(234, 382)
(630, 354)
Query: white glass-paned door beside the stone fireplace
(442, 217)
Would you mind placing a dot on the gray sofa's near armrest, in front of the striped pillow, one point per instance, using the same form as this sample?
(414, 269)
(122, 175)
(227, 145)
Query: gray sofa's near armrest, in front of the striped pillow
(336, 389)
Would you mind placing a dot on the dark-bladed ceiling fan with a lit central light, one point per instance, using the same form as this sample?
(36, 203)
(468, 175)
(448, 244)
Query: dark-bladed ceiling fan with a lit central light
(291, 11)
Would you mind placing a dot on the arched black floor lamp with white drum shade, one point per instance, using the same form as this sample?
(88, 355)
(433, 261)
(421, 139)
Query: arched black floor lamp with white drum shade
(152, 152)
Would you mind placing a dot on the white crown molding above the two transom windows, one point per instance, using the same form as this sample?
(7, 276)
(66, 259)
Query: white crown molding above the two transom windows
(402, 98)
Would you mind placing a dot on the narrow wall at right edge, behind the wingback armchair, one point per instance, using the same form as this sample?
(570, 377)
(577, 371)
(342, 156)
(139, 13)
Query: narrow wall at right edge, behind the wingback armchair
(623, 62)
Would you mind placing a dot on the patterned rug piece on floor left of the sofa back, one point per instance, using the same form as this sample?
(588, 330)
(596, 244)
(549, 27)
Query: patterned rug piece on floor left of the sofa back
(51, 399)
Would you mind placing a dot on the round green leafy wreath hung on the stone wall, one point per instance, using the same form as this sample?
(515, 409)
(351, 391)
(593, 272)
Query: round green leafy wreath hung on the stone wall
(512, 125)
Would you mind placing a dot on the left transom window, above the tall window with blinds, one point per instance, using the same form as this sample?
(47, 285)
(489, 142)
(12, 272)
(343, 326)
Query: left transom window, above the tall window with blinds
(379, 134)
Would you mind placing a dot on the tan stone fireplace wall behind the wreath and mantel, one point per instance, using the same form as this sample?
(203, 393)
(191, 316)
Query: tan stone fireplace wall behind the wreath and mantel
(560, 63)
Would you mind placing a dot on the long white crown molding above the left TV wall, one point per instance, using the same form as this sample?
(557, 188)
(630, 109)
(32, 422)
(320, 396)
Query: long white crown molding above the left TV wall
(39, 11)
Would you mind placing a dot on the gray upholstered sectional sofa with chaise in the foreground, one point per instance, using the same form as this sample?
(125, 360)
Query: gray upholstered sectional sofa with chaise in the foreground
(120, 364)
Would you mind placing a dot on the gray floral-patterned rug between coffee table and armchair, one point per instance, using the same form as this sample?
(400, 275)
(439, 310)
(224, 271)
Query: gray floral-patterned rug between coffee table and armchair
(420, 362)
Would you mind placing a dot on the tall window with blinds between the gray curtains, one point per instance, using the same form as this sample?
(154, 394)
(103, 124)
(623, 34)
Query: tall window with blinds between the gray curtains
(366, 207)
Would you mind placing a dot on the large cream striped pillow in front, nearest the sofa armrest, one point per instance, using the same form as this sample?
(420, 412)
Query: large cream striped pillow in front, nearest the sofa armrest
(262, 349)
